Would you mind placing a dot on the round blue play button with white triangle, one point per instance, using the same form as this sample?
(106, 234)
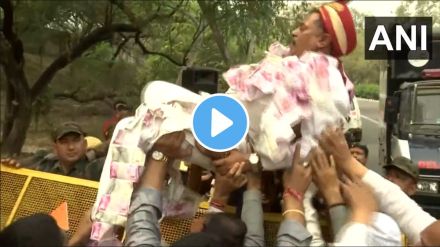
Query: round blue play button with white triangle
(220, 123)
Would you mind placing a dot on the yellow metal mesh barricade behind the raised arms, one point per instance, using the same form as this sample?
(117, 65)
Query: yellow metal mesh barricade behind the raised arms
(25, 192)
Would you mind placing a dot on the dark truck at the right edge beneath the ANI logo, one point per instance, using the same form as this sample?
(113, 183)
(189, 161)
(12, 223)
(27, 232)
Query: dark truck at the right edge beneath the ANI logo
(409, 101)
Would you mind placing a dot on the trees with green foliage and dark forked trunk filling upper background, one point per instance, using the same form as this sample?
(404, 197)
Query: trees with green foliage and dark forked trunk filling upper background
(146, 39)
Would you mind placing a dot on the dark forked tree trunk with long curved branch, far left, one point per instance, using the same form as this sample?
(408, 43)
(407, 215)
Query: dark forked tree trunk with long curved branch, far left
(20, 95)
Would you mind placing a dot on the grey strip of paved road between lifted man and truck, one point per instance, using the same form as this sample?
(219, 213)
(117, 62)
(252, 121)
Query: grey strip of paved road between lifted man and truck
(370, 131)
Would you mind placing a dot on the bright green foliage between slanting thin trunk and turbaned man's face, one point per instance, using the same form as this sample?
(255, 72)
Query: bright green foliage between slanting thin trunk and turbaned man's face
(246, 27)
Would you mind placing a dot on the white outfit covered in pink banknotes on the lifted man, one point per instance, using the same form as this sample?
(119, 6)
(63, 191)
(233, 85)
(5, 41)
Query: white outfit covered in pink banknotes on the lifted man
(278, 93)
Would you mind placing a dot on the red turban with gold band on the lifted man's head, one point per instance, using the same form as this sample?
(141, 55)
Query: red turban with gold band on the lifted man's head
(338, 22)
